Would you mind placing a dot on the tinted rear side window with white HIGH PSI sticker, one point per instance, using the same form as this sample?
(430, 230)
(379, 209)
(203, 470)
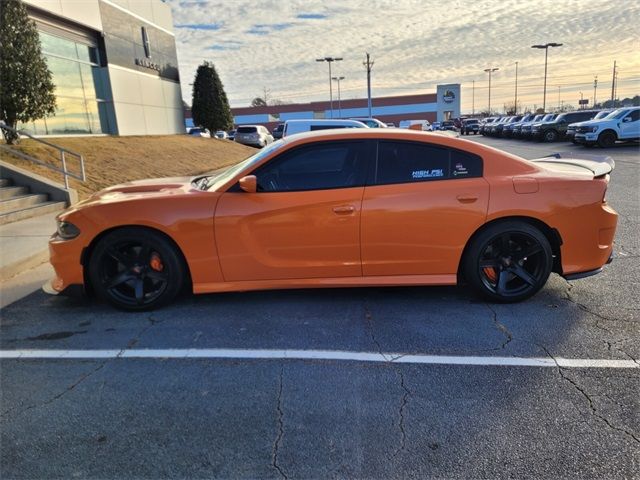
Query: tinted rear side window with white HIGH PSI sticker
(406, 162)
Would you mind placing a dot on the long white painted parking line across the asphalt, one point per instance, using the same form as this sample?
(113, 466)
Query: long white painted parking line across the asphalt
(214, 353)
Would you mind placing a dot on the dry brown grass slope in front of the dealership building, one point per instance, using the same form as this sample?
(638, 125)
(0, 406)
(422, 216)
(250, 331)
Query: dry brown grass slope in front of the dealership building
(113, 160)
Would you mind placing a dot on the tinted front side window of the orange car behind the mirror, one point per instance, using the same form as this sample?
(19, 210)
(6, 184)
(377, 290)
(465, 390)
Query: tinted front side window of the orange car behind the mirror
(317, 167)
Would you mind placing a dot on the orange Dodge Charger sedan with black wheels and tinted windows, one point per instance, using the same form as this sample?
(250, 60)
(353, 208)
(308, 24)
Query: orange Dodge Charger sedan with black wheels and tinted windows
(343, 208)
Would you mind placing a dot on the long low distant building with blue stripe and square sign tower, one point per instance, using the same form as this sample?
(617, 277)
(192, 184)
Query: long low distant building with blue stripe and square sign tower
(439, 106)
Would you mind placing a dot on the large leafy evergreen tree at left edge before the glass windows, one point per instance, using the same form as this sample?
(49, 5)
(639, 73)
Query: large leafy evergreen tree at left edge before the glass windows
(26, 87)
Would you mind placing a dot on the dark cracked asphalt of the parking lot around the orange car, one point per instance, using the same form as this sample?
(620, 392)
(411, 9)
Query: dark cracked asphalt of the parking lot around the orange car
(171, 417)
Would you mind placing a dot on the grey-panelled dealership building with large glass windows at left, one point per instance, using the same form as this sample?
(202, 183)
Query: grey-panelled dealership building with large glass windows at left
(114, 65)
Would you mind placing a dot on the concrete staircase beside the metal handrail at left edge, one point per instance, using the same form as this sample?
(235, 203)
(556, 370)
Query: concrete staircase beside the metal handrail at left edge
(17, 202)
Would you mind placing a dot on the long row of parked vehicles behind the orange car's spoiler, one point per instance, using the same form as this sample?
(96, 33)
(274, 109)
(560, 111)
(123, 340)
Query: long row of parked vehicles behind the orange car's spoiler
(587, 127)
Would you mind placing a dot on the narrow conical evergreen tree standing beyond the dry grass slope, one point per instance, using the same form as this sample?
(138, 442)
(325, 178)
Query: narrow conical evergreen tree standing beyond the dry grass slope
(210, 107)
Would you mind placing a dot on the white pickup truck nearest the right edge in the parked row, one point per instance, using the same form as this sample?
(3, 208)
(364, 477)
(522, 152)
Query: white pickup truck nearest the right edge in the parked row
(621, 124)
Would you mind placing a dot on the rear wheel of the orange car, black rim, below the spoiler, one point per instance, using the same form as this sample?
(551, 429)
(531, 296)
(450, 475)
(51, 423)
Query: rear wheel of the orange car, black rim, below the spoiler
(508, 261)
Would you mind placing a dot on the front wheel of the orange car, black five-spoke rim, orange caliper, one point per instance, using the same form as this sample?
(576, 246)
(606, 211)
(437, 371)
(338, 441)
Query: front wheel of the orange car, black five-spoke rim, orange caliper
(136, 269)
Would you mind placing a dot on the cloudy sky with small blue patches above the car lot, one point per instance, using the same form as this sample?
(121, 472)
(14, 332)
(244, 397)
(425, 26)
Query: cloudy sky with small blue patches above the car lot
(415, 45)
